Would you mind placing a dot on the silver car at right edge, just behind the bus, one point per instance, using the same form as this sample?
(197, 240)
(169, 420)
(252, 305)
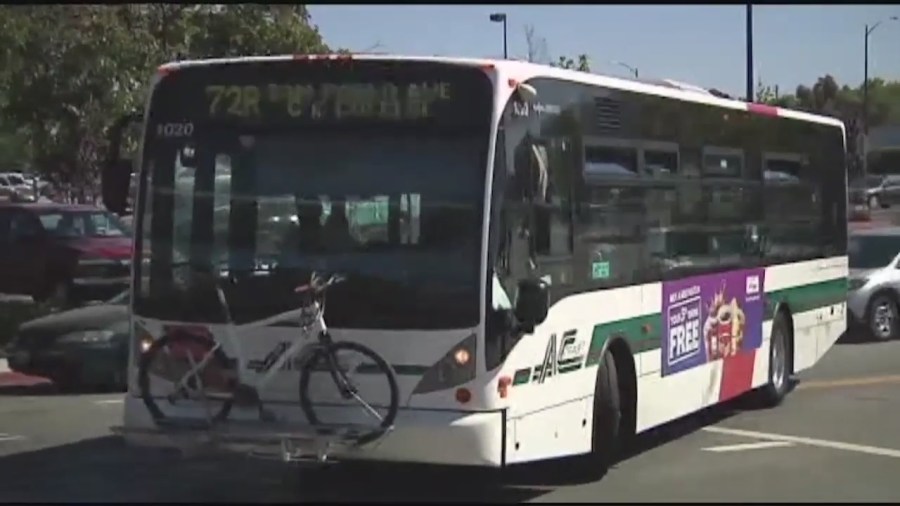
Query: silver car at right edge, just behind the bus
(874, 291)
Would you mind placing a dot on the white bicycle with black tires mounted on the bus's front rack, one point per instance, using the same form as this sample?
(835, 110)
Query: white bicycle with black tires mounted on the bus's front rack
(227, 375)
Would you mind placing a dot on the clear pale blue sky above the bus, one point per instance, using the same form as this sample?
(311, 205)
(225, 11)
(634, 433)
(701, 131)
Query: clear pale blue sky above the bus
(697, 44)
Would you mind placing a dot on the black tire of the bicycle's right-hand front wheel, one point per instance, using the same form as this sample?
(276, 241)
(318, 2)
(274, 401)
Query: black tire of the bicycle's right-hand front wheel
(384, 368)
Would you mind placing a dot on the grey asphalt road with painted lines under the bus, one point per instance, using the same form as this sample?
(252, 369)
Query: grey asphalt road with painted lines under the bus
(836, 438)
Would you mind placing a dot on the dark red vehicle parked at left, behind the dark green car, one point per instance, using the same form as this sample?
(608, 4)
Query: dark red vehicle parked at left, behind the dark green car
(62, 252)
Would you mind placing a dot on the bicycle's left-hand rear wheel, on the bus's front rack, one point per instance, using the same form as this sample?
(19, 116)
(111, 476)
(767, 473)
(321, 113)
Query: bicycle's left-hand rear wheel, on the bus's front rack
(166, 362)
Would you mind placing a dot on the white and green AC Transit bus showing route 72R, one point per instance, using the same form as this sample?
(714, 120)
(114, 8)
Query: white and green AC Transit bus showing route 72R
(552, 261)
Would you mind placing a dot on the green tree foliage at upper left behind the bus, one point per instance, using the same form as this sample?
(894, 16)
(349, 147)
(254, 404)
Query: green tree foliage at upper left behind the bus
(67, 71)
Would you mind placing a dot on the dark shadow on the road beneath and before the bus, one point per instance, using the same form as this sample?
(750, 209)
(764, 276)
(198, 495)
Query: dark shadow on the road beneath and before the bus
(105, 469)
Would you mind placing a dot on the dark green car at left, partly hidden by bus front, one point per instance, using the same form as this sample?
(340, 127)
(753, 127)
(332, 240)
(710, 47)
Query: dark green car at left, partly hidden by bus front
(83, 347)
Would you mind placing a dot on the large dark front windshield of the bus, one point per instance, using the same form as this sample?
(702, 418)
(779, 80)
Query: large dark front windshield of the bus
(394, 204)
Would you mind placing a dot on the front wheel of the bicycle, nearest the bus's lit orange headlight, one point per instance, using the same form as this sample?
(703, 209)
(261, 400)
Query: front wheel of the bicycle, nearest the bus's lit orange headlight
(370, 378)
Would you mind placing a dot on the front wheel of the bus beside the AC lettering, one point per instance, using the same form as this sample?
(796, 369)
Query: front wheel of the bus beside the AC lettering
(605, 440)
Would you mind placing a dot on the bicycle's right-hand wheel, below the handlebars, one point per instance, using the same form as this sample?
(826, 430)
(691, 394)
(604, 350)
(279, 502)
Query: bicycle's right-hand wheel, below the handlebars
(353, 360)
